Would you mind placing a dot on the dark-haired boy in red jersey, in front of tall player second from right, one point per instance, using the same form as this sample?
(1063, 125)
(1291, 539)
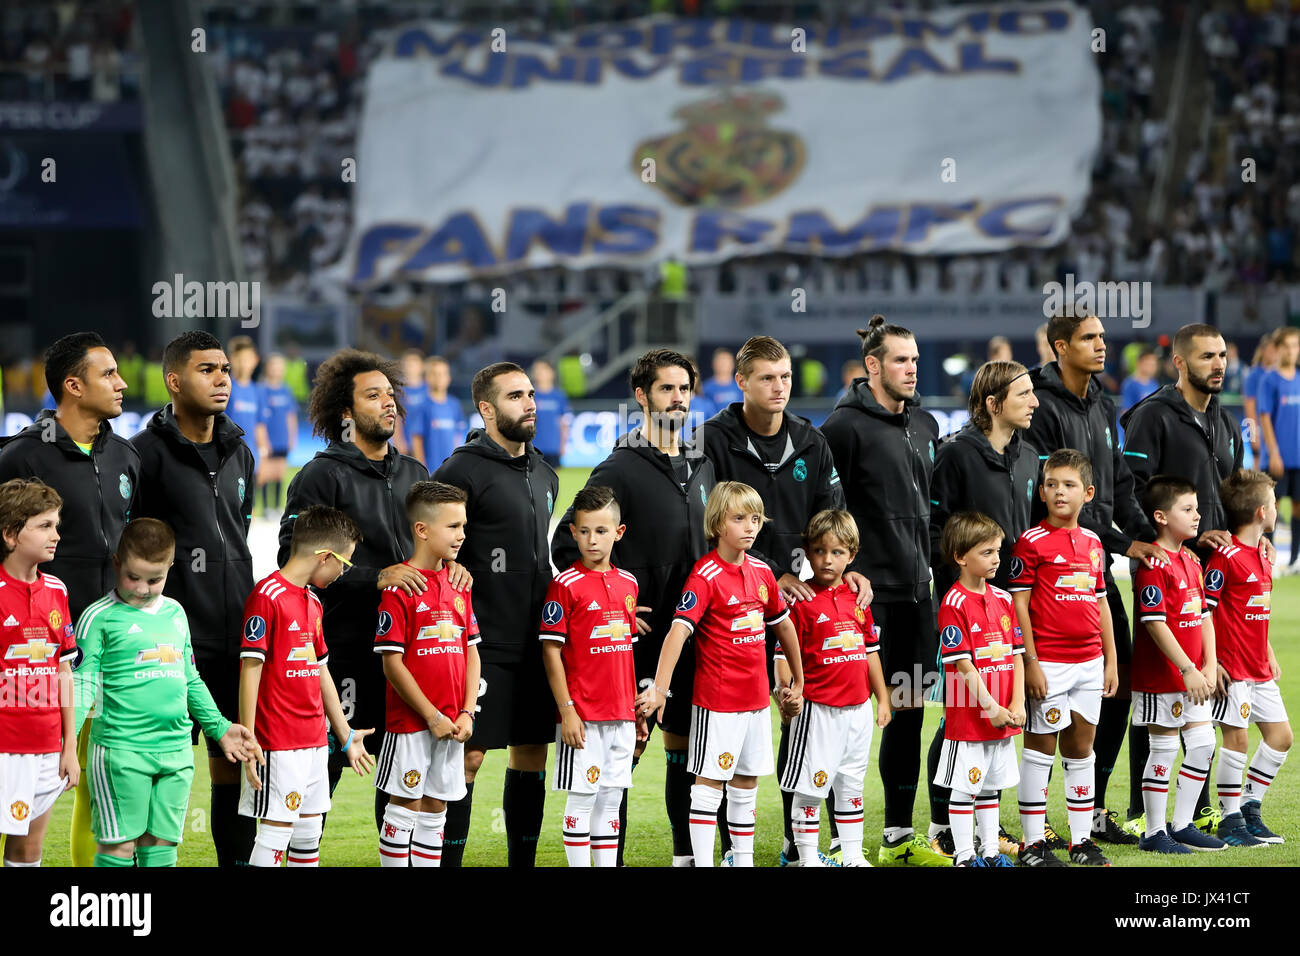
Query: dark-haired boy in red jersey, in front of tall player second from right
(1059, 586)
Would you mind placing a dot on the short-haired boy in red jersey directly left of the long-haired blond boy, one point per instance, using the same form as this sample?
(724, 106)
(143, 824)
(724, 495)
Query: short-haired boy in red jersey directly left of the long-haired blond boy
(588, 630)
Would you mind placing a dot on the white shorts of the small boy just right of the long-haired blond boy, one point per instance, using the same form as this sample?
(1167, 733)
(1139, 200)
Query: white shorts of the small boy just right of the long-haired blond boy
(829, 749)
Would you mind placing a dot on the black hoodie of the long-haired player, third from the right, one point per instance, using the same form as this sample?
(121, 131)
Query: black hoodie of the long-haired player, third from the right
(972, 477)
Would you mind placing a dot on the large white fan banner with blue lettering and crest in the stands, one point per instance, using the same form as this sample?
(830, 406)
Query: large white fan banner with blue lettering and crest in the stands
(963, 131)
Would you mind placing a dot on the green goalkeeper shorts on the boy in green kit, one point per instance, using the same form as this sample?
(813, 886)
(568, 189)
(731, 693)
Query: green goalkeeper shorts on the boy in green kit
(136, 794)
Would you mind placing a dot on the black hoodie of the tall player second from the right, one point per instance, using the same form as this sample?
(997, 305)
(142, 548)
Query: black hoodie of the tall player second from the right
(1064, 421)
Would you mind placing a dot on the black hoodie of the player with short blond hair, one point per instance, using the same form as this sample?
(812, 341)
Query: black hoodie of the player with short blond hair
(805, 483)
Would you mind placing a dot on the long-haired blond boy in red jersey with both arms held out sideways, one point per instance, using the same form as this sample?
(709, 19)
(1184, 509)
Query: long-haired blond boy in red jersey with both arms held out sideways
(730, 602)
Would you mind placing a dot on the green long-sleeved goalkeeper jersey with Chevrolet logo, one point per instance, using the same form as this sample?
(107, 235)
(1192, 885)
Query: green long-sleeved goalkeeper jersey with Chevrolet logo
(138, 673)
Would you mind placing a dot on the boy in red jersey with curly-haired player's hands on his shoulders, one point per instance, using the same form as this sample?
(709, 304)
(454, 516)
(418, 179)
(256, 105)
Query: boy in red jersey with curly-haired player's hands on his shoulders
(432, 665)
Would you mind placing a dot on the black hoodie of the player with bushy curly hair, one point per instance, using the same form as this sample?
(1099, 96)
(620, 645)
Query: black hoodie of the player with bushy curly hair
(374, 496)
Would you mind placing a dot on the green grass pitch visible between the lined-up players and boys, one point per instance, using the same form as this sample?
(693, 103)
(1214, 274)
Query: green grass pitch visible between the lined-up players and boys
(350, 840)
